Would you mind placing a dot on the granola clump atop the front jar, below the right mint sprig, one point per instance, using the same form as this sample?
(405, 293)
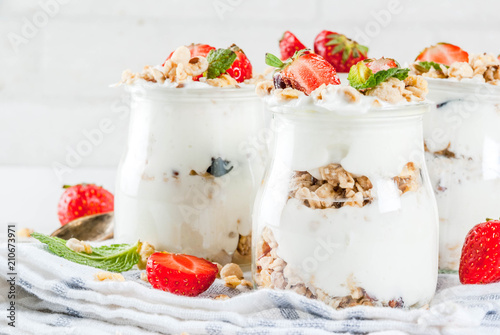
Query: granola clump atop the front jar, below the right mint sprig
(413, 88)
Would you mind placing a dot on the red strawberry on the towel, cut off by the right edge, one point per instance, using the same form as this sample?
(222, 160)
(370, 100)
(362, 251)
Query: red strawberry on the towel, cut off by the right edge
(480, 260)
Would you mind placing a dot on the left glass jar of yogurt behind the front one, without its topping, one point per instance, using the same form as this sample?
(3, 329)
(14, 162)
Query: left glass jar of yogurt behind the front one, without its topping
(191, 169)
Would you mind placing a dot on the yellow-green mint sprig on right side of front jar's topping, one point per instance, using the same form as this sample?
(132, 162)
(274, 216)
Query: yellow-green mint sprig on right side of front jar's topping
(361, 77)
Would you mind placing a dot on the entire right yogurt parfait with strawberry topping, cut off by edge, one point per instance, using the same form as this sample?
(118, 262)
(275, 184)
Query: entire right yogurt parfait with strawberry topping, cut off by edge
(462, 141)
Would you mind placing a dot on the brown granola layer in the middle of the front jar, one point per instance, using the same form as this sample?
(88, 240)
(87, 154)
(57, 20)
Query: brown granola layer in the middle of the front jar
(335, 189)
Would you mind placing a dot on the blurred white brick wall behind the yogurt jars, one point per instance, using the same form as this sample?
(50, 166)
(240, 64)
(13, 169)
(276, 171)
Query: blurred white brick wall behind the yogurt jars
(56, 85)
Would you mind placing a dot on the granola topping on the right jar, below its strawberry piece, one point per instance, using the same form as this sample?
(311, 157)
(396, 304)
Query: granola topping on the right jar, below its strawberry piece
(484, 67)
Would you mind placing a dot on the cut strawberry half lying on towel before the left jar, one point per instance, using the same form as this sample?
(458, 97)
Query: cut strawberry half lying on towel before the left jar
(180, 274)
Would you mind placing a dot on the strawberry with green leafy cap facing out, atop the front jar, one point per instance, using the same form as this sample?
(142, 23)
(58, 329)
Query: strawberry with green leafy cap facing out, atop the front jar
(339, 50)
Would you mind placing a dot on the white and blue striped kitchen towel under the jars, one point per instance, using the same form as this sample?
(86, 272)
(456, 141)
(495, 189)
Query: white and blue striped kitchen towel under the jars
(55, 296)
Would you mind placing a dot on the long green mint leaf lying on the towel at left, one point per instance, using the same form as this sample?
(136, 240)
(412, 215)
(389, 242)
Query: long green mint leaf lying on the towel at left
(115, 257)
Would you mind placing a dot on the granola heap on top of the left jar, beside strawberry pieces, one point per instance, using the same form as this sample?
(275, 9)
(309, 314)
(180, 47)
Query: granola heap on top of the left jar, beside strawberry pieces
(179, 68)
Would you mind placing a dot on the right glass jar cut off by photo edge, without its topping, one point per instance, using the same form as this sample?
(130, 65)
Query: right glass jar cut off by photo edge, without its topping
(462, 141)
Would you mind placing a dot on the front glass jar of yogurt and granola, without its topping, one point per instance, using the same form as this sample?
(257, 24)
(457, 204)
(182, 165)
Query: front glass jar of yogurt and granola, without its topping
(346, 213)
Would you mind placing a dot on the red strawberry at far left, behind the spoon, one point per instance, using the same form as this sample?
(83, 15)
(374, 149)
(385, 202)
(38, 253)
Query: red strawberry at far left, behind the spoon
(82, 200)
